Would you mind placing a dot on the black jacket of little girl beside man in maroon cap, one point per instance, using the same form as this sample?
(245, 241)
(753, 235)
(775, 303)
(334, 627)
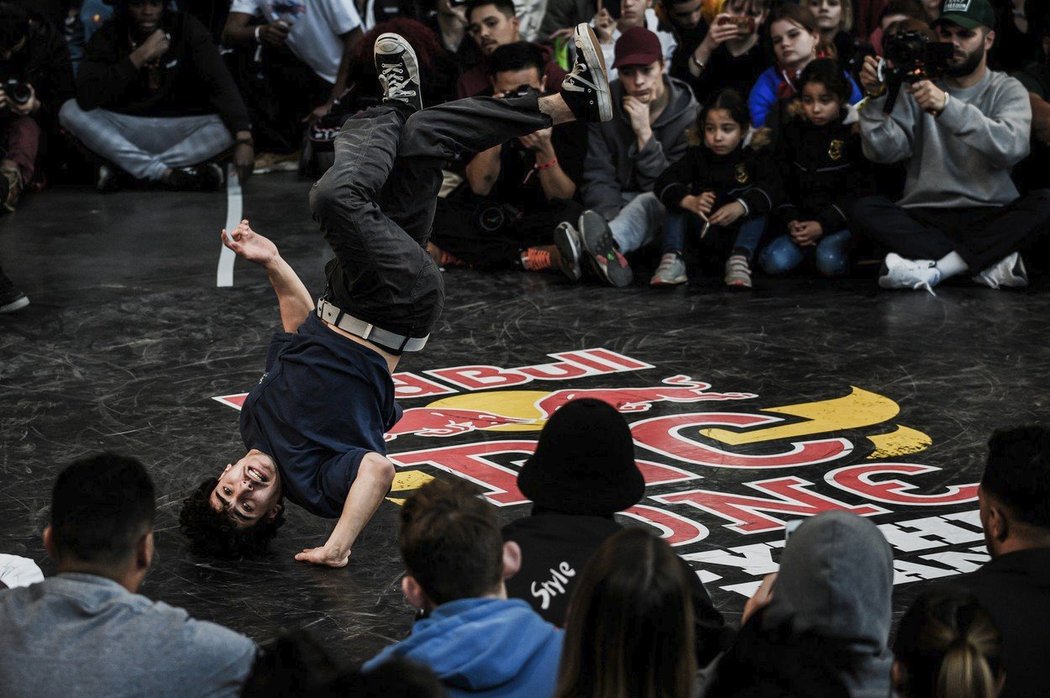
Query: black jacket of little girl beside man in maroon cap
(745, 175)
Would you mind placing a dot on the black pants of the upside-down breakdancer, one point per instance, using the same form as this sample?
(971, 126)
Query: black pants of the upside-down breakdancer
(376, 204)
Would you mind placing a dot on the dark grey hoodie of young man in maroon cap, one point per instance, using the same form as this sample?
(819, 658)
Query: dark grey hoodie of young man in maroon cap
(615, 165)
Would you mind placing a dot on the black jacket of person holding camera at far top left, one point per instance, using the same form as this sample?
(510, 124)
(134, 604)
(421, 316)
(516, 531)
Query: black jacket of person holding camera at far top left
(44, 64)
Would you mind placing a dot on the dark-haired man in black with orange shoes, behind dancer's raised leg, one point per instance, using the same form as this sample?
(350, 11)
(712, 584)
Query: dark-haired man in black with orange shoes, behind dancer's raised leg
(505, 216)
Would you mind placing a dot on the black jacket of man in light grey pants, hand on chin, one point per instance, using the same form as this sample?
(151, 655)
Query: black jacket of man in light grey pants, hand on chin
(193, 79)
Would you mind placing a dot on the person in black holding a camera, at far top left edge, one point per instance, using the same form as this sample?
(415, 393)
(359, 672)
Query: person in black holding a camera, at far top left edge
(37, 78)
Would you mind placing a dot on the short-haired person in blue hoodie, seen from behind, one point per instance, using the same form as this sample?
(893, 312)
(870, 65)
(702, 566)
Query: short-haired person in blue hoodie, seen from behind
(476, 641)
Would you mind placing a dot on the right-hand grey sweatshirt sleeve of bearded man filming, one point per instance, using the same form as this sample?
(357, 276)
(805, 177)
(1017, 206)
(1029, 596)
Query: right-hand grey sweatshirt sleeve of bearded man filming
(1001, 136)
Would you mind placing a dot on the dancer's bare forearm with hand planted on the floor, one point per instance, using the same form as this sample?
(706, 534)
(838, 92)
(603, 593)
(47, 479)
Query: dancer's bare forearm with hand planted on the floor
(374, 479)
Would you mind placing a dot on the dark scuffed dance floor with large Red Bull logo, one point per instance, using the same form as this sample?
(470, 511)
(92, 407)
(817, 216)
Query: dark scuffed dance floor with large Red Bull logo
(888, 398)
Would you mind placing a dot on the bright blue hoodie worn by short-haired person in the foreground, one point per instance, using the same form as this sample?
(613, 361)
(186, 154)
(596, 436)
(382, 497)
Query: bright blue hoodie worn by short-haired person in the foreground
(485, 647)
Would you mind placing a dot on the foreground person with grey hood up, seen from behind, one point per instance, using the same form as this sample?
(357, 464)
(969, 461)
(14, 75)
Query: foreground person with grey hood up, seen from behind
(821, 626)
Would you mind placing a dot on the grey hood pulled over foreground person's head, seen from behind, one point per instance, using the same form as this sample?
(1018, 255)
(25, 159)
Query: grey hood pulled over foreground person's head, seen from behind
(836, 581)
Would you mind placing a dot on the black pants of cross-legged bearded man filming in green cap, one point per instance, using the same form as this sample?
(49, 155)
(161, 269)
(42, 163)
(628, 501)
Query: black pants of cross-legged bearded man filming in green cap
(982, 237)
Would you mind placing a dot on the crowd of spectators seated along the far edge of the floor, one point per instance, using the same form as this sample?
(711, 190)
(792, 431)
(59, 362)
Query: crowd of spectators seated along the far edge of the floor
(946, 176)
